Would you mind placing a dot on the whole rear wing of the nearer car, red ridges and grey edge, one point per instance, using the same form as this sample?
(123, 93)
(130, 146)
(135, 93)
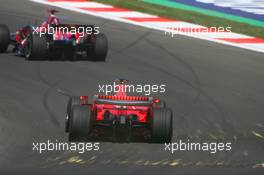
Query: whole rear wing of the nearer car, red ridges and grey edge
(123, 100)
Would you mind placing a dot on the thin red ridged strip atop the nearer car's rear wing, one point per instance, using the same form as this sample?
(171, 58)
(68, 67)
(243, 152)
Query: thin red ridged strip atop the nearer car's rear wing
(126, 98)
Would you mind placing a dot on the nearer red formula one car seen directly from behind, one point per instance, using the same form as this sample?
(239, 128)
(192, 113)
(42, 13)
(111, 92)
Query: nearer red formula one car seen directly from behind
(119, 117)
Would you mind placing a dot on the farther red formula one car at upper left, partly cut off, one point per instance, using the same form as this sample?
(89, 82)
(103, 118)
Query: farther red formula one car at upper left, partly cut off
(55, 40)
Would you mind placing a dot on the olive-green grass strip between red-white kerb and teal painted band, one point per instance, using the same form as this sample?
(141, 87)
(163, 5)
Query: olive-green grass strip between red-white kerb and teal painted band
(188, 16)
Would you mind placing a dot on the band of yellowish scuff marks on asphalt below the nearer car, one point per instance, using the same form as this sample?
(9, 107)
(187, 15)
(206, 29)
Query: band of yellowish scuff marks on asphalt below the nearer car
(81, 161)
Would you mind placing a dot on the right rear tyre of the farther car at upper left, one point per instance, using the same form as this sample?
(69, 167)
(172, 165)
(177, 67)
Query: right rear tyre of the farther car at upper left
(98, 51)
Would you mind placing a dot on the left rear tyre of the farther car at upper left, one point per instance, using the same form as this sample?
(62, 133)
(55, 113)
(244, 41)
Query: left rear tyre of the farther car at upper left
(36, 48)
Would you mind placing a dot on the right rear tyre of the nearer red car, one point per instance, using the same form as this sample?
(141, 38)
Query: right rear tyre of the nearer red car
(161, 126)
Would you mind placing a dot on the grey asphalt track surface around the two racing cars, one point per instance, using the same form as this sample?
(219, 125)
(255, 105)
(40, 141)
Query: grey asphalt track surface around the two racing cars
(215, 91)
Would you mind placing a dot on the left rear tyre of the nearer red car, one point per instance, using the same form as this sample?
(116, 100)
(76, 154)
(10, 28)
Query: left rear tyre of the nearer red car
(80, 123)
